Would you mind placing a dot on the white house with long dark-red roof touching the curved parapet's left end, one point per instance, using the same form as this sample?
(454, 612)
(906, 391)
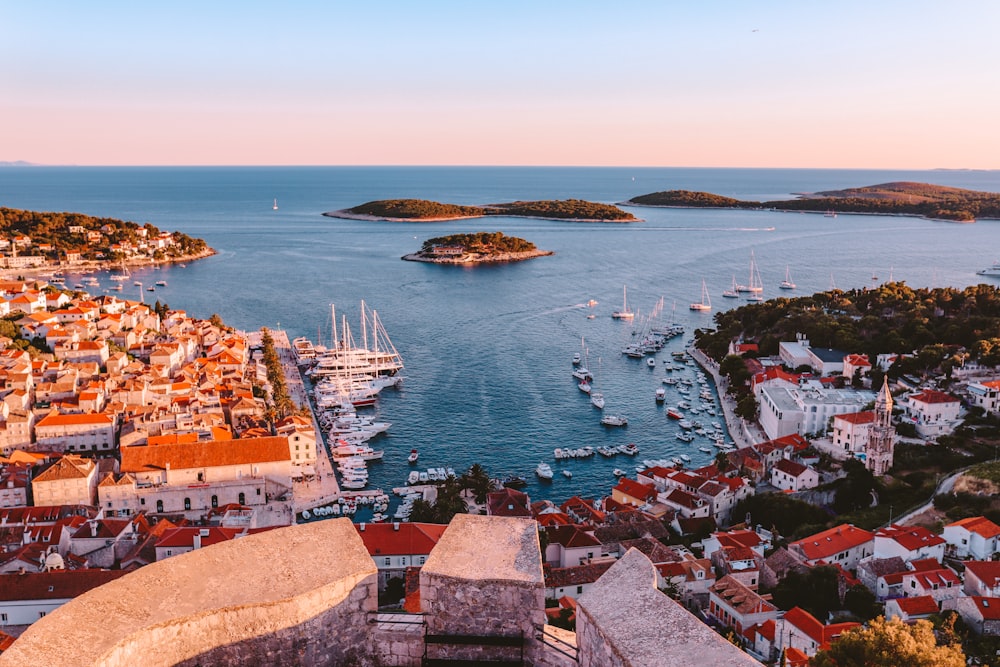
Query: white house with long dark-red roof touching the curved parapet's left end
(24, 598)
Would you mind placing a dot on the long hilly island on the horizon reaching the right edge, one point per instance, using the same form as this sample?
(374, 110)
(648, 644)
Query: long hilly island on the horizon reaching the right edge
(936, 202)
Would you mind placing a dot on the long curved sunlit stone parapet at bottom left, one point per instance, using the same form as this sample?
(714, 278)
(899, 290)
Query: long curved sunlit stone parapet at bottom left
(293, 596)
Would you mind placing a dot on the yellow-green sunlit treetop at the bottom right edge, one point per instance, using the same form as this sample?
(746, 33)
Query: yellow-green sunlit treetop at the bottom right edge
(890, 644)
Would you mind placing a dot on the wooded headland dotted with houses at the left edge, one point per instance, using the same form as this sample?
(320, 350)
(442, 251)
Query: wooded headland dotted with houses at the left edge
(32, 239)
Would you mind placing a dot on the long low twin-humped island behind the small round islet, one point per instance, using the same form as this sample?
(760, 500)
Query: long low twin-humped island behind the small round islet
(422, 210)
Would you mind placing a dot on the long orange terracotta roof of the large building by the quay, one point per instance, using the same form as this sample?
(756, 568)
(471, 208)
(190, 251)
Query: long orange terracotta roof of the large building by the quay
(183, 456)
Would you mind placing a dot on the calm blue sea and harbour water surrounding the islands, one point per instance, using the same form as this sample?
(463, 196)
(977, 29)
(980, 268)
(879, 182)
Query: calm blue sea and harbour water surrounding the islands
(488, 349)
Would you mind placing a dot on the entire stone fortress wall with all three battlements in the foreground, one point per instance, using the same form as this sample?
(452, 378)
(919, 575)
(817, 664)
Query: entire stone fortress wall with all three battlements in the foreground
(306, 595)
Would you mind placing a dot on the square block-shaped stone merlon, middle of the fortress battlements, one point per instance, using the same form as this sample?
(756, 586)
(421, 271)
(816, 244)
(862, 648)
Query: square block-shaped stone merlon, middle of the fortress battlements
(484, 578)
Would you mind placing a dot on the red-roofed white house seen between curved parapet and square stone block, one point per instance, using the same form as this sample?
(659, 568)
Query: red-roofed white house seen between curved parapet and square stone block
(397, 546)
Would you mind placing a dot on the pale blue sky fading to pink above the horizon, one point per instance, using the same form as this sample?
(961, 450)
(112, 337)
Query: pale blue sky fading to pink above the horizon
(849, 84)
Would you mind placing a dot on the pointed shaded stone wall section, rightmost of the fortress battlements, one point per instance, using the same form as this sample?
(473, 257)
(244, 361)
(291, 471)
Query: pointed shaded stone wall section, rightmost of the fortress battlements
(624, 621)
